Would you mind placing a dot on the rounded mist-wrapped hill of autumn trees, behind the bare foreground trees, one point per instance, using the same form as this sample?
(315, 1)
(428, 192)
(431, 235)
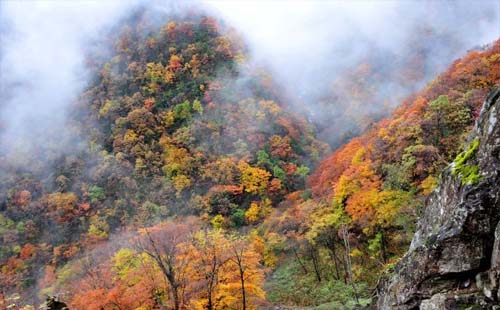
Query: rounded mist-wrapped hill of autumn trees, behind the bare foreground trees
(173, 129)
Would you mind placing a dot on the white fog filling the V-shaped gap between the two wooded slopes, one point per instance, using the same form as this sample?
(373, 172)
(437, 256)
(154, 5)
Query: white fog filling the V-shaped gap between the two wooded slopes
(313, 47)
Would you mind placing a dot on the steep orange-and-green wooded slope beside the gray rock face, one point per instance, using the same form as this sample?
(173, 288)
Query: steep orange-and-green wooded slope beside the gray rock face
(359, 213)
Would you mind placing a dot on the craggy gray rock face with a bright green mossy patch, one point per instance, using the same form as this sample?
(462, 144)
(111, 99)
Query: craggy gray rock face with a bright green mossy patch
(454, 259)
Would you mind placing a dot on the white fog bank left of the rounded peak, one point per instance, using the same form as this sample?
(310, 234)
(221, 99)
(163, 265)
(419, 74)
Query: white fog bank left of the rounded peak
(42, 71)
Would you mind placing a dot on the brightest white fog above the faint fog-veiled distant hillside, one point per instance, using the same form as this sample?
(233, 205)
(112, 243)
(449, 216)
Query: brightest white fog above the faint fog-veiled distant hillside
(307, 42)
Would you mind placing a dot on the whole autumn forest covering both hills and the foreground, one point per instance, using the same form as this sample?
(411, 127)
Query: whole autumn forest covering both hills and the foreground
(195, 185)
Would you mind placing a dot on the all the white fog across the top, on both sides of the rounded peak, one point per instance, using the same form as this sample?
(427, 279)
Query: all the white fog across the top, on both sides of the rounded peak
(307, 46)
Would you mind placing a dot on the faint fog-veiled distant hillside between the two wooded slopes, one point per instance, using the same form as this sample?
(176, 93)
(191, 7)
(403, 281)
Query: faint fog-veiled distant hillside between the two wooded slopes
(371, 89)
